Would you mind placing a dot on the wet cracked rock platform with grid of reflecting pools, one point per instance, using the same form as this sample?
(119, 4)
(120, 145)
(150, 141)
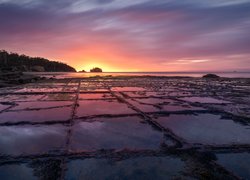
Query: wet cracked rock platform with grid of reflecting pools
(126, 128)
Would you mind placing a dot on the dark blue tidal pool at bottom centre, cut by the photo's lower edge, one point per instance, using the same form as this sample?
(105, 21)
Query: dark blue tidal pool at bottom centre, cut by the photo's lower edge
(135, 168)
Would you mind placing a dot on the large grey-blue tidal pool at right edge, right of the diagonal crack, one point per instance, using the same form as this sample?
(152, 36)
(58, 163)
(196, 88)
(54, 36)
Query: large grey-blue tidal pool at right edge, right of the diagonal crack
(207, 129)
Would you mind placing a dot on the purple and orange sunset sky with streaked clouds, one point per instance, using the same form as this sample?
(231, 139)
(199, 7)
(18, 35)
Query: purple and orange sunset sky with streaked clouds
(131, 35)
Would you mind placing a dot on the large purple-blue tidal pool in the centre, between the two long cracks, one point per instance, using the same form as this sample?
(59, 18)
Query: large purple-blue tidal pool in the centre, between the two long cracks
(115, 133)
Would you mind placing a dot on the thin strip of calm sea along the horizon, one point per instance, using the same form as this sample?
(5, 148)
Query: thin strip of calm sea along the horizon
(190, 74)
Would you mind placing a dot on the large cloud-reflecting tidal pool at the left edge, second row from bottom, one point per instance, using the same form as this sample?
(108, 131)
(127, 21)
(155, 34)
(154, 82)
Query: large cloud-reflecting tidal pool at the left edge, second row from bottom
(29, 140)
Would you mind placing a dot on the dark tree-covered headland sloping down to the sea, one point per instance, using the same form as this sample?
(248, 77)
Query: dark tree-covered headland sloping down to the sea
(26, 63)
